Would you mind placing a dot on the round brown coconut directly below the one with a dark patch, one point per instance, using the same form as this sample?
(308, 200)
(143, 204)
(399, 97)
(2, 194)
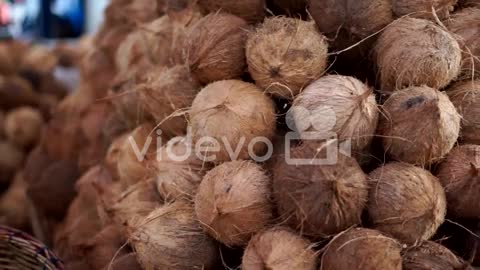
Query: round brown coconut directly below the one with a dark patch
(406, 202)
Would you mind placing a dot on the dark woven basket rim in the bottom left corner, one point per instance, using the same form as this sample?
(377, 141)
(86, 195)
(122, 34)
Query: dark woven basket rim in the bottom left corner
(19, 250)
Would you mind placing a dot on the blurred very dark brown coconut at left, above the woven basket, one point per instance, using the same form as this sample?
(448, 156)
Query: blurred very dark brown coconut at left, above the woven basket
(57, 181)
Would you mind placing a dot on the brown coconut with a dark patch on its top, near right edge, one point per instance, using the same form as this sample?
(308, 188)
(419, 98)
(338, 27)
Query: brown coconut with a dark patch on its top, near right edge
(420, 125)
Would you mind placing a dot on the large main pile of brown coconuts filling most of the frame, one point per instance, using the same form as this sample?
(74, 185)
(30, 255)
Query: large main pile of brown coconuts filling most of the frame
(268, 135)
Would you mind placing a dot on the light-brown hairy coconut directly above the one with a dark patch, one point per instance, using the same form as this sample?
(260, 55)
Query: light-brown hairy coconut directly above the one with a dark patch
(414, 52)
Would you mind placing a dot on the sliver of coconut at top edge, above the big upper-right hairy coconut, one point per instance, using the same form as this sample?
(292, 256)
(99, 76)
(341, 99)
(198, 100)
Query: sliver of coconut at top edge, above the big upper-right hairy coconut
(428, 9)
